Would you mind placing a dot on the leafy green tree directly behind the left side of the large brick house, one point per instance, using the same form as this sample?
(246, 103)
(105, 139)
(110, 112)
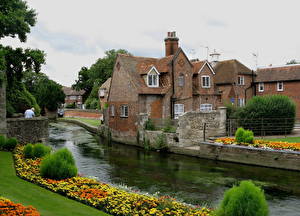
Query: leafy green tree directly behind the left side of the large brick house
(97, 74)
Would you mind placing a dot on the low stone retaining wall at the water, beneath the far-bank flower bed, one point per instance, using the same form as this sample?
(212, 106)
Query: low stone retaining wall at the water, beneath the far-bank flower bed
(242, 154)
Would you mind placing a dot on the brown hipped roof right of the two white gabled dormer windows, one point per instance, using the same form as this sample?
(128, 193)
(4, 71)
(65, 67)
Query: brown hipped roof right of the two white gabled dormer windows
(227, 71)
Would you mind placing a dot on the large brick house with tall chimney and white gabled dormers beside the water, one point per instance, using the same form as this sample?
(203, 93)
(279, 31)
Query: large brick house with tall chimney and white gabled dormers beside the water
(170, 86)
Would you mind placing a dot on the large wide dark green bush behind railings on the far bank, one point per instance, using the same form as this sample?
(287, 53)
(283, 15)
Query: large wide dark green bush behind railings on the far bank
(270, 114)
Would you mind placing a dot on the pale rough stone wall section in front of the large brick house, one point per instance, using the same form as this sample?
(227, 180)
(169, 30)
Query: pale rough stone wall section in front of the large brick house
(191, 126)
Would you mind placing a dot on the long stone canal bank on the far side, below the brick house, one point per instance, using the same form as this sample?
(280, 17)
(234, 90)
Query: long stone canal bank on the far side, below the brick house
(281, 159)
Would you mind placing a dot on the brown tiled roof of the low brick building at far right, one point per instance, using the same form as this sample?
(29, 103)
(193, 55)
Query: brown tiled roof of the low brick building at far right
(281, 73)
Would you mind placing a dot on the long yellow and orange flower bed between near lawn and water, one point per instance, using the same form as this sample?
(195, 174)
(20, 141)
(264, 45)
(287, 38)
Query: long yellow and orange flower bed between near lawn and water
(103, 196)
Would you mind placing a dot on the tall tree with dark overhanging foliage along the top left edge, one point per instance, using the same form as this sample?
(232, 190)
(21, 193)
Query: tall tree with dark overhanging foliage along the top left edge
(16, 18)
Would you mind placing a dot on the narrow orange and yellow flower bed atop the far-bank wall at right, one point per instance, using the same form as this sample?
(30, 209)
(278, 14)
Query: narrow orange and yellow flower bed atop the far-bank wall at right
(263, 144)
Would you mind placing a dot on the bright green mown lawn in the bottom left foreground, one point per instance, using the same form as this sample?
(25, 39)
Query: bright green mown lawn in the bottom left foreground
(26, 193)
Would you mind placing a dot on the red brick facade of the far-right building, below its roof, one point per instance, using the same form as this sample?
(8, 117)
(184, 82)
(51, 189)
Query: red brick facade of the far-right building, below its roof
(290, 89)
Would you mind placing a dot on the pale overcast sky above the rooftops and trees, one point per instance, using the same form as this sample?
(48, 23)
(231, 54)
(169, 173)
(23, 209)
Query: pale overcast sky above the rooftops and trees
(76, 33)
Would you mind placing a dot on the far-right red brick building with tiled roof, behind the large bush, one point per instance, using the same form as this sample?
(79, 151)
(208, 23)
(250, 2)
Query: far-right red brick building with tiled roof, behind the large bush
(282, 80)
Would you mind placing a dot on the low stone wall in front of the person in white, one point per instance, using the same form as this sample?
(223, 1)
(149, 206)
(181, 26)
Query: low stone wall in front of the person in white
(28, 130)
